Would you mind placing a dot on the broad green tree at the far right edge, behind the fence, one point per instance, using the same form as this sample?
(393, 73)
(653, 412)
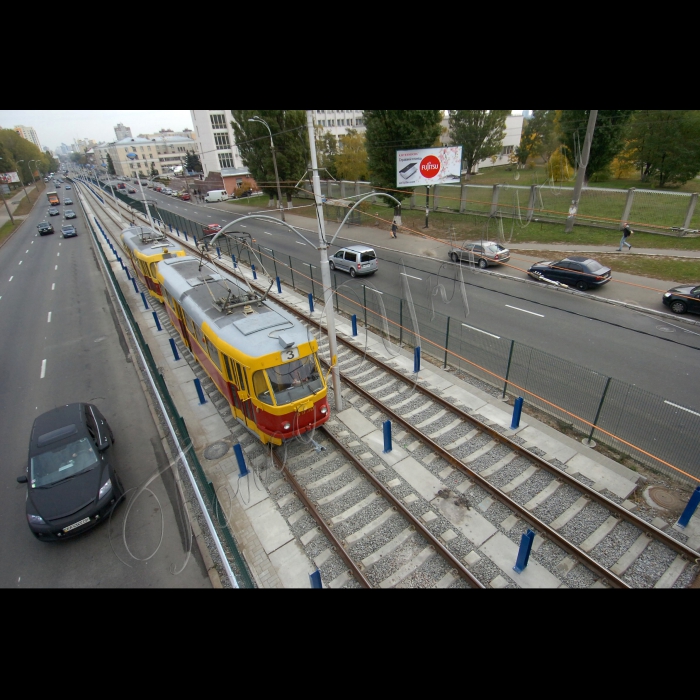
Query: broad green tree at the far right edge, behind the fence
(665, 144)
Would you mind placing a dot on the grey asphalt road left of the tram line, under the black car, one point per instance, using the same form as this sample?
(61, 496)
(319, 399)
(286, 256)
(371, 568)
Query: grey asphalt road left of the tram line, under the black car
(61, 344)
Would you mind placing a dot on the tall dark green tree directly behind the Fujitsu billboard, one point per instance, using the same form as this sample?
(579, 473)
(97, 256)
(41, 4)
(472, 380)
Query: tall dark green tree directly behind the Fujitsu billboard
(390, 130)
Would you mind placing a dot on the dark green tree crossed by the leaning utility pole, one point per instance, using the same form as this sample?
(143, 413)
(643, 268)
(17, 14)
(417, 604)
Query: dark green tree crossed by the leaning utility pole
(608, 137)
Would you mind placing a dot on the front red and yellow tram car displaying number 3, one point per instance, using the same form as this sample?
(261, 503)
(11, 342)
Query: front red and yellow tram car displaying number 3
(260, 357)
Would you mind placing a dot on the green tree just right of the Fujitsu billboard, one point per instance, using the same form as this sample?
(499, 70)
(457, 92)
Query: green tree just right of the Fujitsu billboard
(480, 132)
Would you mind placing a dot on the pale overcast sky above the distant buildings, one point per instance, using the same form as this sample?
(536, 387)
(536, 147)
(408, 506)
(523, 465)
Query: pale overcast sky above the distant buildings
(54, 127)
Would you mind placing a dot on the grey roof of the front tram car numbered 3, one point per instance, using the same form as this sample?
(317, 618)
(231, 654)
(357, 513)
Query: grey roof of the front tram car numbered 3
(254, 334)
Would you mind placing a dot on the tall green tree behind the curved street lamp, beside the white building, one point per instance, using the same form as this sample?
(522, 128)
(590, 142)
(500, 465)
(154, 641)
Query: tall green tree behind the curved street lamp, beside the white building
(289, 133)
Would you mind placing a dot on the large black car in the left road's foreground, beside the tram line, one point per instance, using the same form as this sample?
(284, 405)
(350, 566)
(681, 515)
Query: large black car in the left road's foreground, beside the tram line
(71, 485)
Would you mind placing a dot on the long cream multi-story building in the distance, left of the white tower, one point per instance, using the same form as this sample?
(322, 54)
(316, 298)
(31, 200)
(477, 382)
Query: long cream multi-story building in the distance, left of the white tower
(159, 154)
